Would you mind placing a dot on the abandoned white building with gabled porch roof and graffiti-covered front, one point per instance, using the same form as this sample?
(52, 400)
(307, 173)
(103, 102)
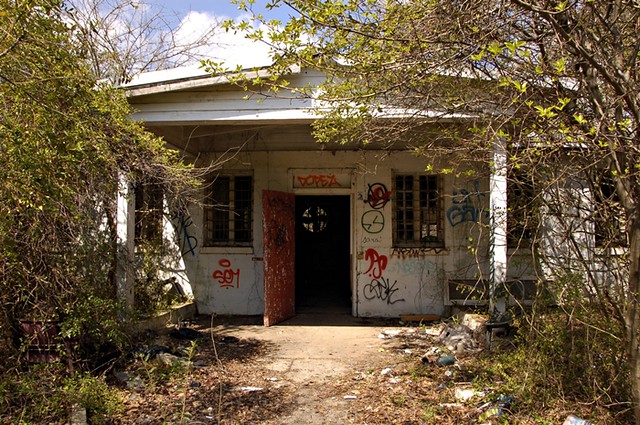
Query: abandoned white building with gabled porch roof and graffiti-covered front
(289, 225)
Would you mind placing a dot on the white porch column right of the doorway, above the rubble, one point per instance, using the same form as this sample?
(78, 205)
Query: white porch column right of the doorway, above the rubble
(498, 243)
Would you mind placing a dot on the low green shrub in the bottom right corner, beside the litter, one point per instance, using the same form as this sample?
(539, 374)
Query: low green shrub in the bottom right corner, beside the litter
(561, 363)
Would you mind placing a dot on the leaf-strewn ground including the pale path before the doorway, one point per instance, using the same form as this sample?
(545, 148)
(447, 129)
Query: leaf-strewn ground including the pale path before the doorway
(311, 369)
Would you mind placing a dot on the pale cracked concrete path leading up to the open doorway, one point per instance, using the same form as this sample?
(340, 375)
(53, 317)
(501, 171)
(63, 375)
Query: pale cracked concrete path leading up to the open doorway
(311, 349)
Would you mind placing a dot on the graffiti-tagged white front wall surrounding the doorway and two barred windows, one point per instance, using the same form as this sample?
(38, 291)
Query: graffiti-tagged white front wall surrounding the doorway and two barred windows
(386, 282)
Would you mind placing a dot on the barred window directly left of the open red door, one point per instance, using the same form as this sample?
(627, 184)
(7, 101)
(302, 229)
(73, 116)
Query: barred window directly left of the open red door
(228, 212)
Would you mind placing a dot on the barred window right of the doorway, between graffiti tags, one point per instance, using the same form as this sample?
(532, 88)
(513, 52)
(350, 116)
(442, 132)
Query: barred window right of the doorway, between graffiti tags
(418, 211)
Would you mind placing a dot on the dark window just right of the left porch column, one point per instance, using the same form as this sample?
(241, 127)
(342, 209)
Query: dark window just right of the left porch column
(149, 209)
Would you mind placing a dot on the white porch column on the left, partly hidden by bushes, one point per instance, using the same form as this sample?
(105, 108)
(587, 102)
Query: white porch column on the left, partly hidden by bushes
(125, 233)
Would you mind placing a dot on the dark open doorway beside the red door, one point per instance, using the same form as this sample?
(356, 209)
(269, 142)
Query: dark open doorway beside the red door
(322, 254)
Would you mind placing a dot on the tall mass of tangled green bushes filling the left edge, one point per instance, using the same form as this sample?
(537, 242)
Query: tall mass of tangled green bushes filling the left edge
(66, 147)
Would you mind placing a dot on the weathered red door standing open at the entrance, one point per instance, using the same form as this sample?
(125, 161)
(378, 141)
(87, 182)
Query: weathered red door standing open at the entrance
(279, 256)
